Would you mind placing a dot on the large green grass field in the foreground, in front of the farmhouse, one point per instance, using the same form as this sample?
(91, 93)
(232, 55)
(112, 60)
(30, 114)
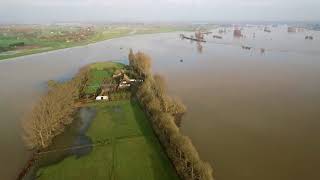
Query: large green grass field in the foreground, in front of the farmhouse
(133, 153)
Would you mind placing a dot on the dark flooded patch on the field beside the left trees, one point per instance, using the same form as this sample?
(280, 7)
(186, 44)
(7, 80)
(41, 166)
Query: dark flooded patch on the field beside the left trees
(61, 147)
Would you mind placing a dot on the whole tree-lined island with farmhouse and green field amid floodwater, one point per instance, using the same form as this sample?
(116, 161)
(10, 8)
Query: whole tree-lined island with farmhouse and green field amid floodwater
(134, 132)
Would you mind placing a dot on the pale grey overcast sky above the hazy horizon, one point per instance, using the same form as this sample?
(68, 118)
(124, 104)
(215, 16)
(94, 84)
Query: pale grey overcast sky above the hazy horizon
(34, 11)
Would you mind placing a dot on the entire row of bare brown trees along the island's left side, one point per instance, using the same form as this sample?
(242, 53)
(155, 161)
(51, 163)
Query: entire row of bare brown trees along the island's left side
(53, 112)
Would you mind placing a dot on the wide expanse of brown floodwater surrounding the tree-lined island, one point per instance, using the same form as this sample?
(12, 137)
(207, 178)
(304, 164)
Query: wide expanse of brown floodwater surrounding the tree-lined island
(251, 114)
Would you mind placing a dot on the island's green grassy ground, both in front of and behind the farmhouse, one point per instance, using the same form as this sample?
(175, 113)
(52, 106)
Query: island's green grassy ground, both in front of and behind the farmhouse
(130, 149)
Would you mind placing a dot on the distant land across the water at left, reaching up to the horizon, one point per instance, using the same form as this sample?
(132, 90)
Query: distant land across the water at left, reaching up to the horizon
(20, 40)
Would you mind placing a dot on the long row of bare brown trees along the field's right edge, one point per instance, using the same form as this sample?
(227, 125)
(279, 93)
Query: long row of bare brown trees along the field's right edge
(163, 110)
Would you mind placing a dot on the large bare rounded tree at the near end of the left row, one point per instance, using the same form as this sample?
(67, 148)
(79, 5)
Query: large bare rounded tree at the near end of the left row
(49, 117)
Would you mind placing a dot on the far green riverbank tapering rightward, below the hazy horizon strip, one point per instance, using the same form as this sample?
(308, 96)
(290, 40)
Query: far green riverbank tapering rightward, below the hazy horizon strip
(16, 46)
